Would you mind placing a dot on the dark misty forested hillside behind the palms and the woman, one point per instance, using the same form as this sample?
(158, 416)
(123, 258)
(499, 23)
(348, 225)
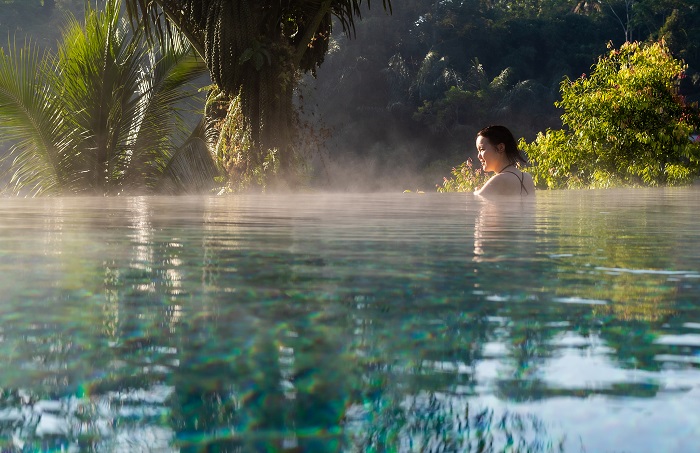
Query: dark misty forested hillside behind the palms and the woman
(396, 104)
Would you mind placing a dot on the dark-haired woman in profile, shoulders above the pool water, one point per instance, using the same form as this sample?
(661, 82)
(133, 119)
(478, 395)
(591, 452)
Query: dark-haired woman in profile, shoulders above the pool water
(499, 153)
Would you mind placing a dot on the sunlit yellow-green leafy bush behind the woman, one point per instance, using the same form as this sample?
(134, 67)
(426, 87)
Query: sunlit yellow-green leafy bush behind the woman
(625, 124)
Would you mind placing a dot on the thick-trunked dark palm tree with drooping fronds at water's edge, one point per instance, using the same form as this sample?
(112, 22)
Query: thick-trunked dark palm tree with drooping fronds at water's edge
(255, 51)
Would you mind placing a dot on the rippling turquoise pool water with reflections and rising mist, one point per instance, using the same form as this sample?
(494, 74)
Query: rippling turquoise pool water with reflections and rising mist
(351, 322)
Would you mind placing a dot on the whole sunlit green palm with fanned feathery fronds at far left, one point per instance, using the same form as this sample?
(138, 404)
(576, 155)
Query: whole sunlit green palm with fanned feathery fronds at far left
(103, 115)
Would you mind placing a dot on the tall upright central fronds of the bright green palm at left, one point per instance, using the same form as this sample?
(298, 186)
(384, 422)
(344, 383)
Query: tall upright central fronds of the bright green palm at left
(103, 66)
